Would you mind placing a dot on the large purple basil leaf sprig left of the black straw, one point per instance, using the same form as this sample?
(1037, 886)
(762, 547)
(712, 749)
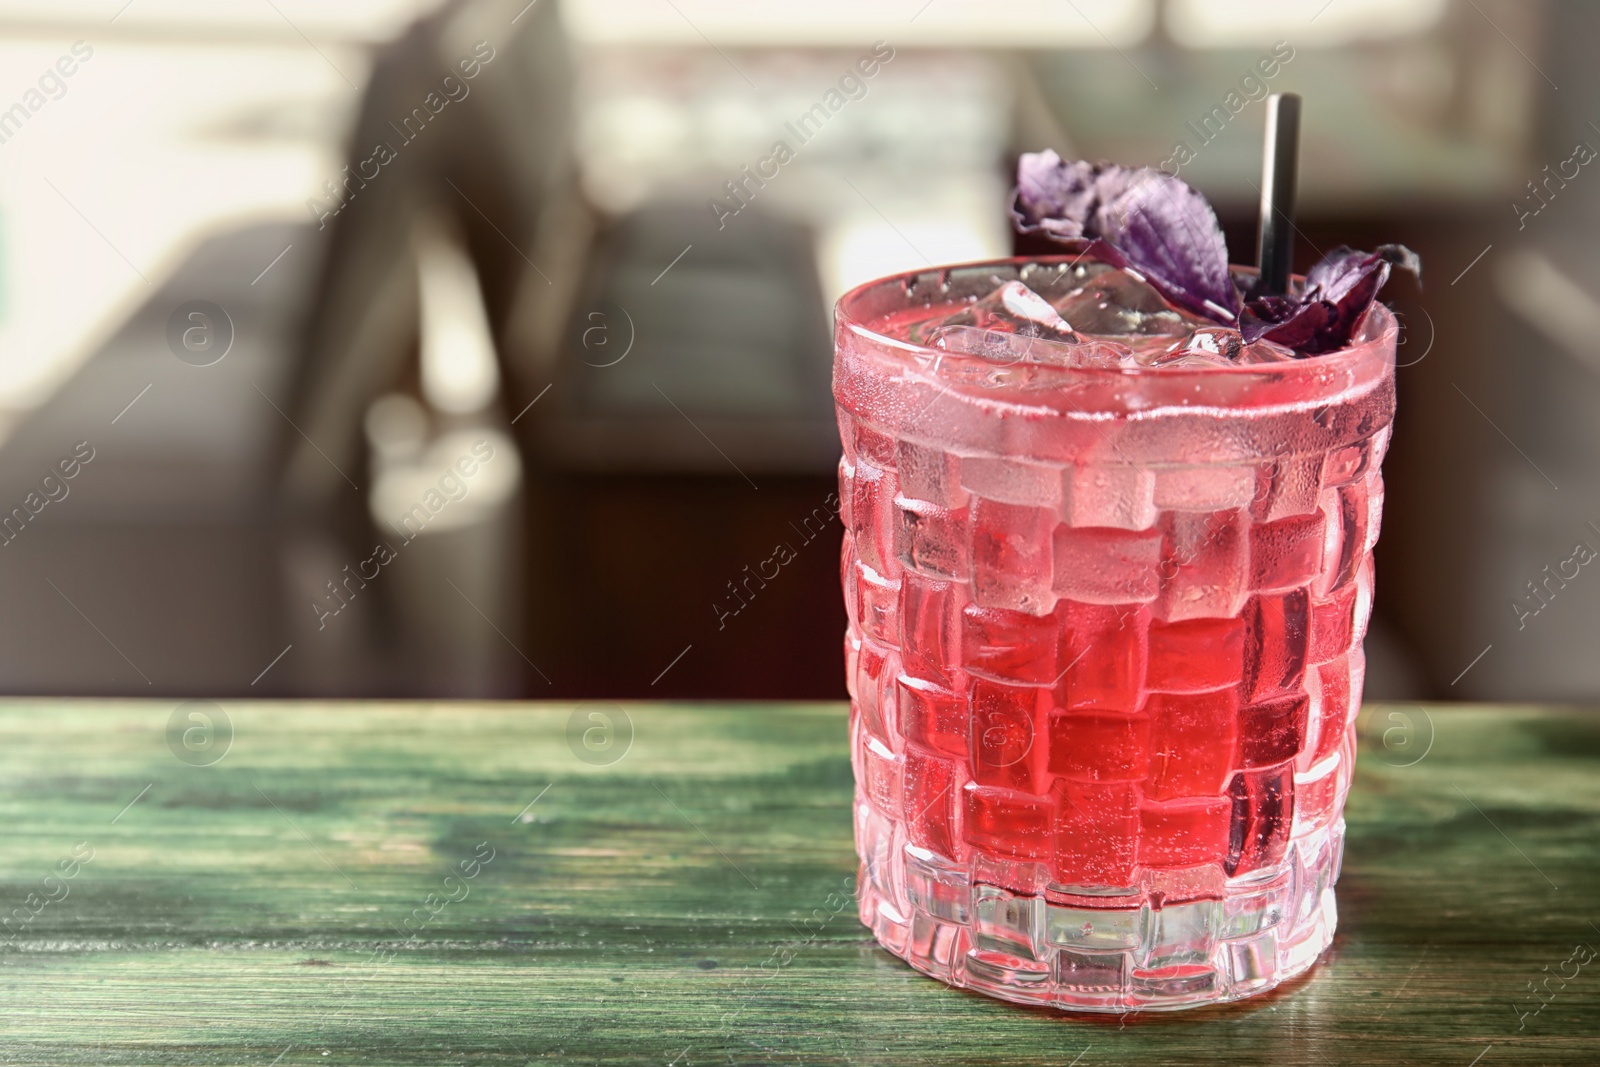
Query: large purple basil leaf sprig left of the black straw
(1161, 226)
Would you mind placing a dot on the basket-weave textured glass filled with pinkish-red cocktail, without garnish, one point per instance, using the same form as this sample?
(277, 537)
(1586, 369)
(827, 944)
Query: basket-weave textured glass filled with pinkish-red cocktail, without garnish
(1105, 653)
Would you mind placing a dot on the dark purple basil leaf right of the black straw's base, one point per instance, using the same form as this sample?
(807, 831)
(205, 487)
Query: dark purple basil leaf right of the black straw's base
(1337, 295)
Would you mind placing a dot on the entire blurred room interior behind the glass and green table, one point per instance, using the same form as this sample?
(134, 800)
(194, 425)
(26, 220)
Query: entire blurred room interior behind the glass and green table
(481, 348)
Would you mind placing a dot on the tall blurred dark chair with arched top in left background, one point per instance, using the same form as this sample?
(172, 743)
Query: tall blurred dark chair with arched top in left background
(481, 185)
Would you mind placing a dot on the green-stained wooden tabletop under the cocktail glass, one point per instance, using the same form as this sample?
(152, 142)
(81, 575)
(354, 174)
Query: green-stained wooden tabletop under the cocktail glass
(415, 884)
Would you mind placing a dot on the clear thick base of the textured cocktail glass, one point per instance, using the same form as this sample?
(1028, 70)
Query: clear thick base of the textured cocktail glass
(1086, 951)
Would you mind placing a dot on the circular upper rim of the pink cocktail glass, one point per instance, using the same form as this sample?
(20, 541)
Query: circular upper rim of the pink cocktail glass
(1375, 335)
